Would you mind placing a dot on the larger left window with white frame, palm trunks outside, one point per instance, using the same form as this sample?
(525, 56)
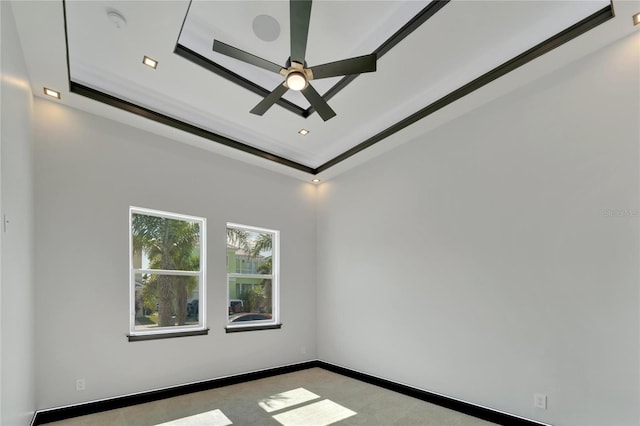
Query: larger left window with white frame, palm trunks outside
(167, 274)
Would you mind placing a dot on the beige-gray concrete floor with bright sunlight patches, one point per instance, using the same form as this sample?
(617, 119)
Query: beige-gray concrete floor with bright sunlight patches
(313, 397)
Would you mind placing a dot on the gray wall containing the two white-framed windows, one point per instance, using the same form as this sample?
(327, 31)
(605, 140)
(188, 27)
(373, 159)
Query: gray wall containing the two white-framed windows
(89, 170)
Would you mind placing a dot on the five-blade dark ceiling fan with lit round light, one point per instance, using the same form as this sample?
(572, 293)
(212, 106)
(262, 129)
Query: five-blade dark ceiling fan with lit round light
(296, 73)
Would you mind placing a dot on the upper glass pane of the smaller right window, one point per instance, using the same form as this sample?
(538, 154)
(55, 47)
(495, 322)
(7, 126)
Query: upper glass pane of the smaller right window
(249, 252)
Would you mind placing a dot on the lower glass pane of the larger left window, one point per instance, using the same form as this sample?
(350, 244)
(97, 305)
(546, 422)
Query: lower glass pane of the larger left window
(166, 301)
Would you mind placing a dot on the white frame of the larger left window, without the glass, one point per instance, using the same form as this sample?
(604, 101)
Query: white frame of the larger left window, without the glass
(200, 328)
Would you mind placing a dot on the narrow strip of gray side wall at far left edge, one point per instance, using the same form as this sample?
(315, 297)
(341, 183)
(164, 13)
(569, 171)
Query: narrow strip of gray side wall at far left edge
(17, 391)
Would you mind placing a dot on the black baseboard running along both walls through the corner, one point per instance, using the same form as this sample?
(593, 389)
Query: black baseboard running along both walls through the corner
(62, 413)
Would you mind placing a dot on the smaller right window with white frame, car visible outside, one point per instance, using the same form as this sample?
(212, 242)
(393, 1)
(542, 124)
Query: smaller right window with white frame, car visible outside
(252, 278)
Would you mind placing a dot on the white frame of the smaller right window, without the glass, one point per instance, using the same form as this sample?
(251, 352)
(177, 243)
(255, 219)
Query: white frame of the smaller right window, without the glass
(275, 283)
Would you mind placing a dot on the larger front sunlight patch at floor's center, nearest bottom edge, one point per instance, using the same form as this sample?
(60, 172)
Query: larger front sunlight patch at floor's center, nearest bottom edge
(321, 413)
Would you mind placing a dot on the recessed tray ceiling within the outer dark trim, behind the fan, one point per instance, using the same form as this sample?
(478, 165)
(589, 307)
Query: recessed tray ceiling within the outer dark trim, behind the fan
(429, 55)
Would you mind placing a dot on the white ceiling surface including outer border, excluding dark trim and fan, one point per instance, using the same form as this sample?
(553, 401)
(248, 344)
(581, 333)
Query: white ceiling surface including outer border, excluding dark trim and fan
(462, 41)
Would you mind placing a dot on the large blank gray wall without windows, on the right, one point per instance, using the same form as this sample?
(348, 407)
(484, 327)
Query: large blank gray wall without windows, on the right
(497, 257)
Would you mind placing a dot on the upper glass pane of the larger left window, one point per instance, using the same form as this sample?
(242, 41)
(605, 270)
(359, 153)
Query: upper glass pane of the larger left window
(161, 243)
